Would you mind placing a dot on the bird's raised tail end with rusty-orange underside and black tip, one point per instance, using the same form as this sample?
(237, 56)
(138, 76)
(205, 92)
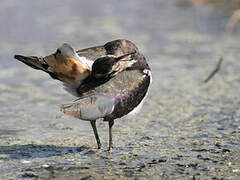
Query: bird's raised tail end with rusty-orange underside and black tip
(64, 64)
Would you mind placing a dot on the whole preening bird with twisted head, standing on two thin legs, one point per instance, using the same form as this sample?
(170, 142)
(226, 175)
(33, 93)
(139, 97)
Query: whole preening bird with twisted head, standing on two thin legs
(109, 81)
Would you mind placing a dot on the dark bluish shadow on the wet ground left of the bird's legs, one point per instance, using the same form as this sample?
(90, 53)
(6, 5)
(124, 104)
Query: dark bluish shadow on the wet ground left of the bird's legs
(30, 151)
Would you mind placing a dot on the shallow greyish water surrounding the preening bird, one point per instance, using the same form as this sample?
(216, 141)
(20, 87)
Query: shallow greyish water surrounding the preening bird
(185, 130)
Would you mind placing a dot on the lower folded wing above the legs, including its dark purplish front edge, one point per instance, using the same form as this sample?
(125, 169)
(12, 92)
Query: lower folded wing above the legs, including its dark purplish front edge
(116, 97)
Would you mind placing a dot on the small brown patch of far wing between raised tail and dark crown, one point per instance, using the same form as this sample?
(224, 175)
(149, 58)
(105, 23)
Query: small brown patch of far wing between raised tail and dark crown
(92, 53)
